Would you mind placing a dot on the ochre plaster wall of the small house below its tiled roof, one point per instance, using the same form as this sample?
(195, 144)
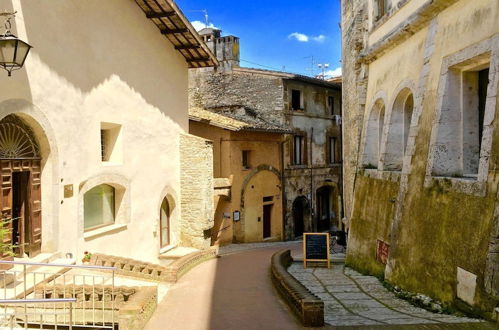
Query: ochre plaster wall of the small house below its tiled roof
(256, 182)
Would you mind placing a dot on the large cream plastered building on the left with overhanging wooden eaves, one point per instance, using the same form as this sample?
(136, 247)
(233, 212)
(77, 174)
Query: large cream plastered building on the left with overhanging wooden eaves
(94, 144)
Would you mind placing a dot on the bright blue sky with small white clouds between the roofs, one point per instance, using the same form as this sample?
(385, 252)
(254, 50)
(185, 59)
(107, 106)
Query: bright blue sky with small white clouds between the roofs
(277, 33)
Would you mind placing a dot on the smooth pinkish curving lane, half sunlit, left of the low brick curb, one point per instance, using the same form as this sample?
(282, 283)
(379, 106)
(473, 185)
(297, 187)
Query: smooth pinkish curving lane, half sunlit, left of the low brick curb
(231, 292)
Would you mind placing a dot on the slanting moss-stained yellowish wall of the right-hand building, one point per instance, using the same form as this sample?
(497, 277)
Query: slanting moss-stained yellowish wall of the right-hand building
(436, 225)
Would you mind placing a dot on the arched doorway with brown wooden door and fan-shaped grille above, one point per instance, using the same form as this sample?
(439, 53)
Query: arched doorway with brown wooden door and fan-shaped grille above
(20, 185)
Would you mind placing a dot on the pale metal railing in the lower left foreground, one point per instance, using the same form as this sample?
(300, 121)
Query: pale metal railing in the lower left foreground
(94, 294)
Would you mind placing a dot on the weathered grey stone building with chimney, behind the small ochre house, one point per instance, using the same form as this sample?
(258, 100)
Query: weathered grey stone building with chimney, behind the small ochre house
(309, 108)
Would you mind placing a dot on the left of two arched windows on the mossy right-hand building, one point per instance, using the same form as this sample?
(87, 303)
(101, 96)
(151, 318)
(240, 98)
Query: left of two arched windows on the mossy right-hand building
(374, 134)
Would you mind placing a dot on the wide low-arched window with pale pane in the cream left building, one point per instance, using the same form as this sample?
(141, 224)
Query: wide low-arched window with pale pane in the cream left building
(99, 206)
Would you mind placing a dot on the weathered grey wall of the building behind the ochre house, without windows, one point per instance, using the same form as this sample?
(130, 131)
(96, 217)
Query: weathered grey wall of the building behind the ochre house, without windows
(268, 95)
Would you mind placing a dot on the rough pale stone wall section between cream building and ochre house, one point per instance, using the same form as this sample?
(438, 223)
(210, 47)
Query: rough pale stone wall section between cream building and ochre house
(196, 163)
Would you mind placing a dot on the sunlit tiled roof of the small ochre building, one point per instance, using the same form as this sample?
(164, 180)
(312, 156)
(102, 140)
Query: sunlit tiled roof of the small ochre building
(234, 122)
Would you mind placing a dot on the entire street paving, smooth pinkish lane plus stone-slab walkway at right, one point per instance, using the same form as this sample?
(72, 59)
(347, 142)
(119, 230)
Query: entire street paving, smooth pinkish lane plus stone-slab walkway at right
(235, 292)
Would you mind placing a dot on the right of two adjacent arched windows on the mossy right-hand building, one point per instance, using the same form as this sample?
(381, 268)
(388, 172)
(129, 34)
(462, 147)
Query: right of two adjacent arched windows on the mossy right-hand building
(398, 131)
